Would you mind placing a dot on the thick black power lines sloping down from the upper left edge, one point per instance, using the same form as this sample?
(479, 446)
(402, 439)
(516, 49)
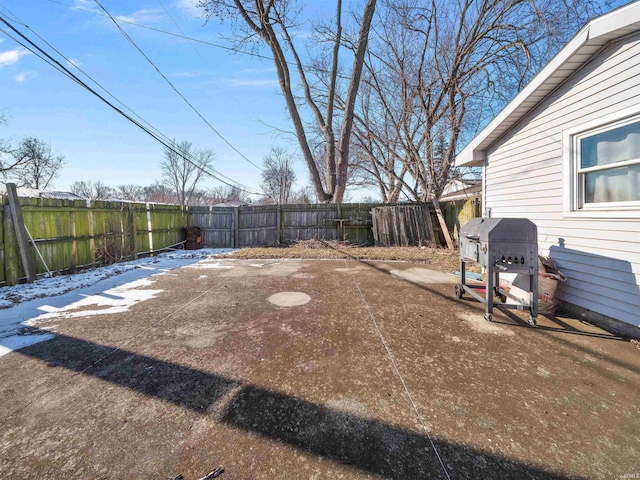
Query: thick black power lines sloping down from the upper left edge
(40, 53)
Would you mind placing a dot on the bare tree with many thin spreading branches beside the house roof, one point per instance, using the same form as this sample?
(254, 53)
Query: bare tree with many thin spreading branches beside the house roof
(435, 72)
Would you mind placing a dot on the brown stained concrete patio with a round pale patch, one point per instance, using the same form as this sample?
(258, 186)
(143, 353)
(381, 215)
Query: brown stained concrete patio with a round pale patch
(317, 369)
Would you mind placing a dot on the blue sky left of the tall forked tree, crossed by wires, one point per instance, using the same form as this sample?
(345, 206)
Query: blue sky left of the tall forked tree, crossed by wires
(237, 94)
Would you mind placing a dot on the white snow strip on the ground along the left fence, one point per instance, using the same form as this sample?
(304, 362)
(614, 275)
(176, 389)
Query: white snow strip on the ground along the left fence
(100, 291)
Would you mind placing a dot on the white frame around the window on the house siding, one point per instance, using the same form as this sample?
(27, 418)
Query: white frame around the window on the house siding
(572, 187)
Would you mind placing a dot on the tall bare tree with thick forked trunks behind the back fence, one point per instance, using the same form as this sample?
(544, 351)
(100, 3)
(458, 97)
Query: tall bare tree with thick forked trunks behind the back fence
(273, 22)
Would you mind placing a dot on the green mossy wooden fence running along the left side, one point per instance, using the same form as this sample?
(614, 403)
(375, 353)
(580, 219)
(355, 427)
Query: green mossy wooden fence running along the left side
(71, 234)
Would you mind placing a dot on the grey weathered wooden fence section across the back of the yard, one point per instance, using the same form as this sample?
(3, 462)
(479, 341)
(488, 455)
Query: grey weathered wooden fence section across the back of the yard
(263, 225)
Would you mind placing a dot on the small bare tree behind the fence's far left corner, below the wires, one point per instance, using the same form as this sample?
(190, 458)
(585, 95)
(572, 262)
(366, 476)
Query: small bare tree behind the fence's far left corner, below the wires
(183, 168)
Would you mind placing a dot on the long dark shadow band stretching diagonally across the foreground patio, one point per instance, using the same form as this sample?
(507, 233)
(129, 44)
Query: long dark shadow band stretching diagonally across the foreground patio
(365, 444)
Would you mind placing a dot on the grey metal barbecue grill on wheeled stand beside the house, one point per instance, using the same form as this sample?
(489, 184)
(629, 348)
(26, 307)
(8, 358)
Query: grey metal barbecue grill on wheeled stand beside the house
(500, 245)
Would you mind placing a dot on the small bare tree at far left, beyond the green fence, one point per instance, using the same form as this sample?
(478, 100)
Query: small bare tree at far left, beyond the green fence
(34, 166)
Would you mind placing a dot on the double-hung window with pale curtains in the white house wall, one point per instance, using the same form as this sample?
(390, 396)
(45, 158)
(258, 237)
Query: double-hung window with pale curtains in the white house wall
(606, 166)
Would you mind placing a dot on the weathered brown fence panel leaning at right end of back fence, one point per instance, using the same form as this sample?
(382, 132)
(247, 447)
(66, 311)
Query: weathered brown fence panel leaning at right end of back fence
(404, 225)
